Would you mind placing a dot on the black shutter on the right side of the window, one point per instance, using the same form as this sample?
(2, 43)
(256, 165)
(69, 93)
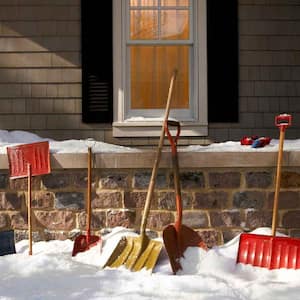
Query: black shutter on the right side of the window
(222, 55)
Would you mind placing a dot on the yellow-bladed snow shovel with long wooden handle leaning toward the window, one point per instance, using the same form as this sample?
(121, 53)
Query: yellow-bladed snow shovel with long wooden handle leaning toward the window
(136, 253)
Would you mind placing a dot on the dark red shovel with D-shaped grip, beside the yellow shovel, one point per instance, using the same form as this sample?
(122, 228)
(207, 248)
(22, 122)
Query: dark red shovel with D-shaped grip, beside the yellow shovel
(177, 237)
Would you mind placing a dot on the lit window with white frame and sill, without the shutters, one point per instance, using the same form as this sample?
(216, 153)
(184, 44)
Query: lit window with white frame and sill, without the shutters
(151, 38)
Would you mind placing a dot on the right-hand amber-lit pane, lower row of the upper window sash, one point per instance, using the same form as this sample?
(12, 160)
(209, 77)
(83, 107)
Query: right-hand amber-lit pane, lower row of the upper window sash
(174, 25)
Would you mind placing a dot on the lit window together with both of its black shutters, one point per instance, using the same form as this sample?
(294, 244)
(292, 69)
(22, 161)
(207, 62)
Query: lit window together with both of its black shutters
(121, 85)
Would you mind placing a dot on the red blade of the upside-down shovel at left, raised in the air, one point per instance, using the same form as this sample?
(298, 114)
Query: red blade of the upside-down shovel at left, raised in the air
(35, 154)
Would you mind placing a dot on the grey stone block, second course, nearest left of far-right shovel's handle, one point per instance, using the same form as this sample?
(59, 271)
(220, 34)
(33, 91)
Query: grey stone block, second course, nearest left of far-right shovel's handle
(249, 199)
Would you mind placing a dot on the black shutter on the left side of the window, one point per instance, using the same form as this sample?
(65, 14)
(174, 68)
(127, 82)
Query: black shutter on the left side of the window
(96, 54)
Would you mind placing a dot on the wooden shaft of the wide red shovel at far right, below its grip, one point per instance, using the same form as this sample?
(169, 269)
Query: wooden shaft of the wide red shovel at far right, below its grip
(277, 185)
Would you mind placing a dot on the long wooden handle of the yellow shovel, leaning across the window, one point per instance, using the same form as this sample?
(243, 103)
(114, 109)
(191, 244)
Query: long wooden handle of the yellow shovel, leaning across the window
(157, 159)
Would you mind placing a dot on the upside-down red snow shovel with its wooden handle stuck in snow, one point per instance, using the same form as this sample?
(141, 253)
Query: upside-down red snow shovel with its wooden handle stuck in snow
(29, 160)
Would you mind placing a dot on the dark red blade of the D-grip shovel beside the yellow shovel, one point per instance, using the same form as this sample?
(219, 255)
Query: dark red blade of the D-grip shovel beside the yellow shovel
(176, 243)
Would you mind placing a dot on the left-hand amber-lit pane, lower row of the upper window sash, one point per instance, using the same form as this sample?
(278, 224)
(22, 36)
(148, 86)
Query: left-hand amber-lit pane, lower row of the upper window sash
(143, 25)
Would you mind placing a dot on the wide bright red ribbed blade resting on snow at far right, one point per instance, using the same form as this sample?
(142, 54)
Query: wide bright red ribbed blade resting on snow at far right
(269, 252)
